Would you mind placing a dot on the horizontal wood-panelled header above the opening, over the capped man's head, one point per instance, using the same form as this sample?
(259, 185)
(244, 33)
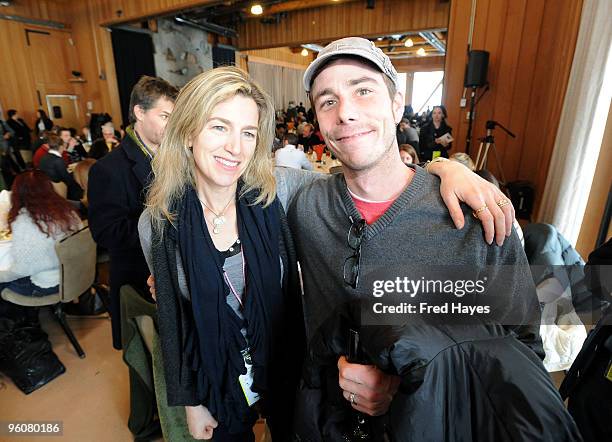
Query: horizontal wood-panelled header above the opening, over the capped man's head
(328, 23)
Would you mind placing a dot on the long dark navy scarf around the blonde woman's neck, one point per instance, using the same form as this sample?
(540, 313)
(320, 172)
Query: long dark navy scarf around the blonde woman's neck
(218, 327)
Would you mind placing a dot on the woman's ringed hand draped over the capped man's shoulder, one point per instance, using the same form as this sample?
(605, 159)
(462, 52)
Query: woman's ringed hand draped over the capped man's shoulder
(458, 183)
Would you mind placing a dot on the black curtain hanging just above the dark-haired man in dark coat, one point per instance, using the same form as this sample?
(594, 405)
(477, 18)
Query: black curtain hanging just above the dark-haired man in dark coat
(133, 53)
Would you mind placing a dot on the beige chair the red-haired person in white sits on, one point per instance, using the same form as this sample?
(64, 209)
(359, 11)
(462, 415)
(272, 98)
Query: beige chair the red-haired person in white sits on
(77, 257)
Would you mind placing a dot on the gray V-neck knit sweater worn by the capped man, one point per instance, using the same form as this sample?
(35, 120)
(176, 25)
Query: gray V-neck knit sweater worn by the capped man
(416, 231)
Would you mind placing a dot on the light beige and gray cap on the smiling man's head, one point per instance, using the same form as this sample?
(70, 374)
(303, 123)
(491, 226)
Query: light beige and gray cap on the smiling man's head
(353, 46)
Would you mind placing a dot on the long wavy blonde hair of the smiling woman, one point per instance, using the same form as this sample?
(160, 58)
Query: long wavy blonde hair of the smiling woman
(173, 164)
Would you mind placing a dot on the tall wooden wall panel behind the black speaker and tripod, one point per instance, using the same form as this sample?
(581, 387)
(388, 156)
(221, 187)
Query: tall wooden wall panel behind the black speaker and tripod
(531, 45)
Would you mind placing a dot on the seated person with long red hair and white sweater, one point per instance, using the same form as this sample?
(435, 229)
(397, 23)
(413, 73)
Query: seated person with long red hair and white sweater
(38, 218)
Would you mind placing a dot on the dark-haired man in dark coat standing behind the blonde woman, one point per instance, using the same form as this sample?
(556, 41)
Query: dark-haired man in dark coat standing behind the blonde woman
(117, 185)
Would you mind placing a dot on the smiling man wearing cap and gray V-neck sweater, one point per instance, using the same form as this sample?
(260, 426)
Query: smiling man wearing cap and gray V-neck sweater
(379, 212)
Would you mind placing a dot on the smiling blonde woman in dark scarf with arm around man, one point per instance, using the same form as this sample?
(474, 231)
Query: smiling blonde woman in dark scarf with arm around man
(218, 244)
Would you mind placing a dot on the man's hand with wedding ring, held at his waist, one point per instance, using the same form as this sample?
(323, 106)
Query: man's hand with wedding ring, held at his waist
(371, 389)
